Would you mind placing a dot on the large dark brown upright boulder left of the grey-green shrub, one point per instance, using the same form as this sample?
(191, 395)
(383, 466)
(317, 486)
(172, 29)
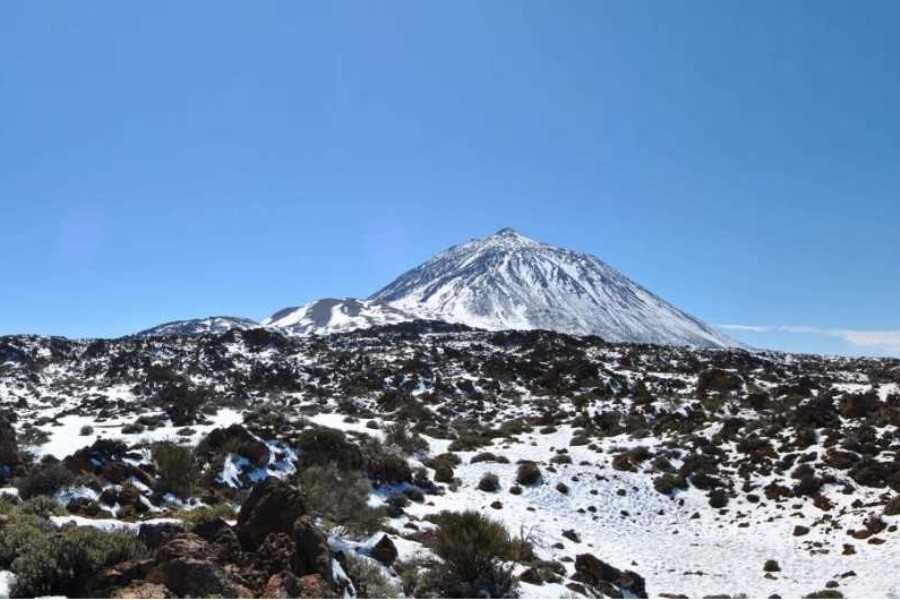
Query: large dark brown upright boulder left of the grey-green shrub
(273, 506)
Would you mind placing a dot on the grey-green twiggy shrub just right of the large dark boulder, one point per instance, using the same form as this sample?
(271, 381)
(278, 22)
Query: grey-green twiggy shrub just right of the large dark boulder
(341, 497)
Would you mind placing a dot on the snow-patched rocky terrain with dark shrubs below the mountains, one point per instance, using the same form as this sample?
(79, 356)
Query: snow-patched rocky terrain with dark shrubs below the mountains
(433, 460)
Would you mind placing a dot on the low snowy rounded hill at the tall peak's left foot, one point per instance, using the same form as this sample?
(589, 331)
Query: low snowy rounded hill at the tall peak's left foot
(333, 315)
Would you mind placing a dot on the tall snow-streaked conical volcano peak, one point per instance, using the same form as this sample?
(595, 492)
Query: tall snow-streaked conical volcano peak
(508, 281)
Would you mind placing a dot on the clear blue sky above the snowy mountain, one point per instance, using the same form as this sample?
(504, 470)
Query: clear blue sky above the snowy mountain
(176, 160)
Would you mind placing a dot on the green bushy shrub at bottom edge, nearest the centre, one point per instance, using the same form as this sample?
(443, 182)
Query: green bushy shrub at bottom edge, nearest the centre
(472, 547)
